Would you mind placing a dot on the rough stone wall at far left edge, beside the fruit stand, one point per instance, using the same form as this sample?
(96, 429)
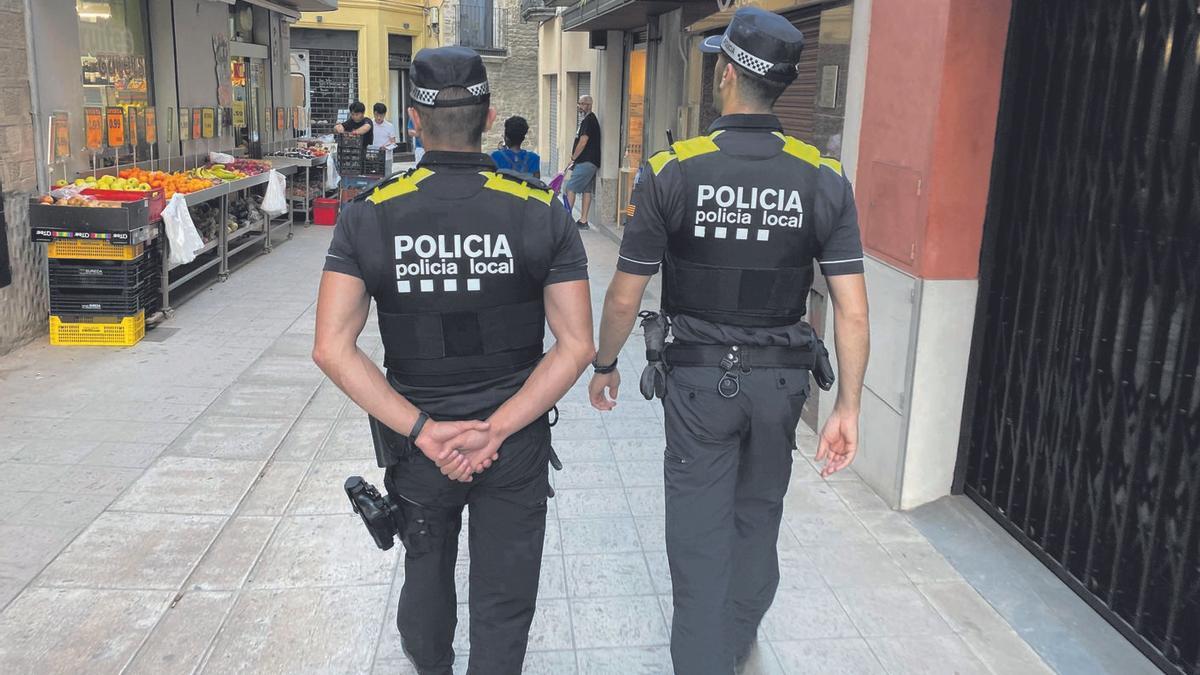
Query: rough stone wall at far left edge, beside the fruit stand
(25, 303)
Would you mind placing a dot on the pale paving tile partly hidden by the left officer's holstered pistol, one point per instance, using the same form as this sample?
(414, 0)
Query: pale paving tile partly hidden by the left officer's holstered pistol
(322, 551)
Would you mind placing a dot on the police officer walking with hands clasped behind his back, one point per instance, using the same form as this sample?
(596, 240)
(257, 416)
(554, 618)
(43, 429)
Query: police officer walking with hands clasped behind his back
(466, 266)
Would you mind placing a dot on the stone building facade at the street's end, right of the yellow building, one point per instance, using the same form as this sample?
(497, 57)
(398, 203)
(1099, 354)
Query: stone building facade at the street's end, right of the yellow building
(513, 76)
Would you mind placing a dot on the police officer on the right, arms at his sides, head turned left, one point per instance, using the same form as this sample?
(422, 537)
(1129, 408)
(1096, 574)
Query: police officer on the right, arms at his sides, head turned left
(737, 219)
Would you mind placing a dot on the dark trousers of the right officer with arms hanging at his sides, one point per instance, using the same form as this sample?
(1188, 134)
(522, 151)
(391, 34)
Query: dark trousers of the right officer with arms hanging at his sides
(728, 468)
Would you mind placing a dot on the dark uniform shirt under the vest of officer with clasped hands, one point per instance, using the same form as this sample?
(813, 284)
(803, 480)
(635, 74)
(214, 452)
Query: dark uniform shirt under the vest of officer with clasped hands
(553, 244)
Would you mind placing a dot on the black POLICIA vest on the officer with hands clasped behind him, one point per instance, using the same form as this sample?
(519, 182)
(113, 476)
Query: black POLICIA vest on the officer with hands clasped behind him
(458, 304)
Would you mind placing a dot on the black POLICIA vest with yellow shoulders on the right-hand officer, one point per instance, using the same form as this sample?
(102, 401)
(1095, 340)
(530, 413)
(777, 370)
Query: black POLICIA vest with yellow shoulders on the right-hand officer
(745, 253)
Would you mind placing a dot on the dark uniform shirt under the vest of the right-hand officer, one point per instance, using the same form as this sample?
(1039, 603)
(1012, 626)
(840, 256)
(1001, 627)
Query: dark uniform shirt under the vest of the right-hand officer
(659, 212)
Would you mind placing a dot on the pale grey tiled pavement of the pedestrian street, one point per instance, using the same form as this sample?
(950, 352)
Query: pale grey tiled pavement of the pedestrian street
(178, 507)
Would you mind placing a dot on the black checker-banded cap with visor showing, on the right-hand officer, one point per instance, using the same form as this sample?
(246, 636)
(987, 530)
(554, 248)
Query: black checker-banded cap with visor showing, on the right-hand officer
(763, 43)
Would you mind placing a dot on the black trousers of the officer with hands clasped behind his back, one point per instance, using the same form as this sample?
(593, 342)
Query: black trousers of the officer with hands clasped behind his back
(508, 528)
